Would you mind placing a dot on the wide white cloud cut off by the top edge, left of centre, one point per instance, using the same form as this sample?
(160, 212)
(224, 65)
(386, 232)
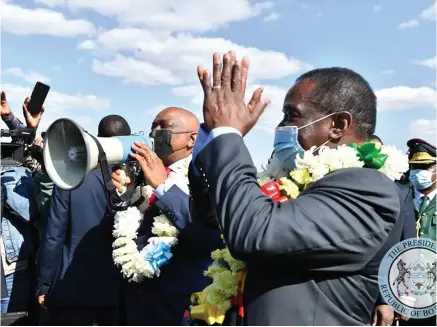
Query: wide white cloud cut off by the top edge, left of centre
(187, 15)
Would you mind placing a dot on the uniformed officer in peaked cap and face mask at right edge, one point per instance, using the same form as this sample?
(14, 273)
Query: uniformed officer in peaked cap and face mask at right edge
(422, 156)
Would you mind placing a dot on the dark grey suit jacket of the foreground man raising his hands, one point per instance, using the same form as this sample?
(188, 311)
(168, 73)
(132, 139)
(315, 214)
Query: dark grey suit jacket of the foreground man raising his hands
(313, 260)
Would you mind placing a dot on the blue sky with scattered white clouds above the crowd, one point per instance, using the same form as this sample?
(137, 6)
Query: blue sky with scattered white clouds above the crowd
(135, 57)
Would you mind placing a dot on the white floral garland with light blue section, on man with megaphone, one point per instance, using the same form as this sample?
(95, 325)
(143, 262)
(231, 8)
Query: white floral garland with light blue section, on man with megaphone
(137, 265)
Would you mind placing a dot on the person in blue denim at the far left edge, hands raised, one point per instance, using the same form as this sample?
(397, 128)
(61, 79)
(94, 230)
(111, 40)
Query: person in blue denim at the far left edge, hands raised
(18, 243)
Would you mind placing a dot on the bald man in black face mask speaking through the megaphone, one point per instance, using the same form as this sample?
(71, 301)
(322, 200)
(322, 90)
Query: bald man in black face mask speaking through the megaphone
(162, 300)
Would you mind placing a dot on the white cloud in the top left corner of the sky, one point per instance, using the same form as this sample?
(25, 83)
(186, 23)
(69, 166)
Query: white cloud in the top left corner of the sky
(22, 21)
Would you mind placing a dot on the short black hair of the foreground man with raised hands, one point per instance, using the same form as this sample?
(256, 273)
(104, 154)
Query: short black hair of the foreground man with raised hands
(341, 89)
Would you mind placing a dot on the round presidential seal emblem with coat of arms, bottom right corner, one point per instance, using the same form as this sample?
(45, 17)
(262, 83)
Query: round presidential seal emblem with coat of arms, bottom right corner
(407, 278)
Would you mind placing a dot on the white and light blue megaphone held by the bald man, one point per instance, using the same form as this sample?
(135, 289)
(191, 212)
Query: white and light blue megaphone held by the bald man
(70, 153)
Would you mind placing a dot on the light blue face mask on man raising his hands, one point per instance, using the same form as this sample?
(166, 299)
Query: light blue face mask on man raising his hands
(287, 146)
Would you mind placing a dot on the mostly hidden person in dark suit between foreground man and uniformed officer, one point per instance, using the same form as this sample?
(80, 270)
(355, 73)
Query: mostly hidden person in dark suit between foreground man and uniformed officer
(383, 314)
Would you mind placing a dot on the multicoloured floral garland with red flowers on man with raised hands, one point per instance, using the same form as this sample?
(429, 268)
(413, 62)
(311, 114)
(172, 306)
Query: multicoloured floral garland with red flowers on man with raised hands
(227, 273)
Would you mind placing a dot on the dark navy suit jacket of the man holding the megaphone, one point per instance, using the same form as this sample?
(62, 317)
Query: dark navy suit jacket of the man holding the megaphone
(162, 300)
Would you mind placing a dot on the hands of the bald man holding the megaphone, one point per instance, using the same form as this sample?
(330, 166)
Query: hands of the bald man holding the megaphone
(152, 167)
